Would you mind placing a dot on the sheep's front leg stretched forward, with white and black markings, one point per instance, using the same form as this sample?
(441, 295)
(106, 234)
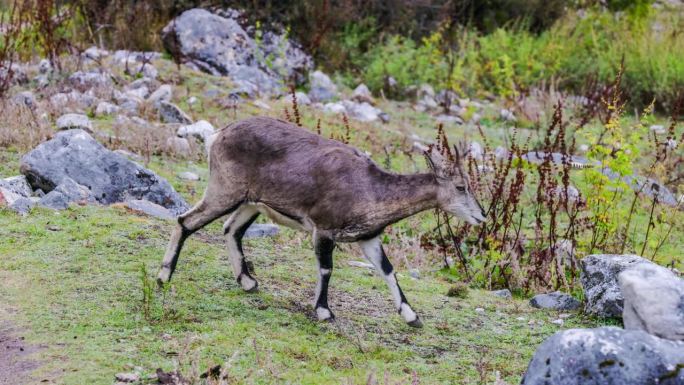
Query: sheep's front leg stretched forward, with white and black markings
(374, 252)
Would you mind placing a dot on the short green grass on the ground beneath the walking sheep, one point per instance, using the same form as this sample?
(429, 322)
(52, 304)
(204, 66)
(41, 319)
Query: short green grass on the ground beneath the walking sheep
(73, 279)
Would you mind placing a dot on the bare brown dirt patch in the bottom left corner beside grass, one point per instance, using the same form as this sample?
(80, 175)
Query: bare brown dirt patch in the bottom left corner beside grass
(15, 366)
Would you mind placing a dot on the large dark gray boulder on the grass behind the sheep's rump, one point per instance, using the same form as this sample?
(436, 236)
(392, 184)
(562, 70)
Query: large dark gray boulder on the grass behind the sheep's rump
(109, 176)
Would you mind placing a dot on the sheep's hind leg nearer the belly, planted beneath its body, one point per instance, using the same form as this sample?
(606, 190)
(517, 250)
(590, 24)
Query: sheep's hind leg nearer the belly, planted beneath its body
(234, 229)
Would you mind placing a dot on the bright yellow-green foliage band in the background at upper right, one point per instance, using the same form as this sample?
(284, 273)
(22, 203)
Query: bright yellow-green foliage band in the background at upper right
(511, 60)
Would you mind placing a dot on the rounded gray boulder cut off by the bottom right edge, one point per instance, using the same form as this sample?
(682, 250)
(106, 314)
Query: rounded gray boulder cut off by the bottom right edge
(606, 355)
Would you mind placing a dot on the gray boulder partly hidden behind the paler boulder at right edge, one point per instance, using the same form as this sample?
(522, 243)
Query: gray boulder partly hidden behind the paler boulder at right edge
(598, 276)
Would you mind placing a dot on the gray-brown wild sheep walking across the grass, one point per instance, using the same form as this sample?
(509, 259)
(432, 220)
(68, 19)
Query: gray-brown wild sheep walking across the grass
(300, 179)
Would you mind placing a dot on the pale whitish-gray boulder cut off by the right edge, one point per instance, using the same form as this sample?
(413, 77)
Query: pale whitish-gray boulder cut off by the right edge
(654, 301)
